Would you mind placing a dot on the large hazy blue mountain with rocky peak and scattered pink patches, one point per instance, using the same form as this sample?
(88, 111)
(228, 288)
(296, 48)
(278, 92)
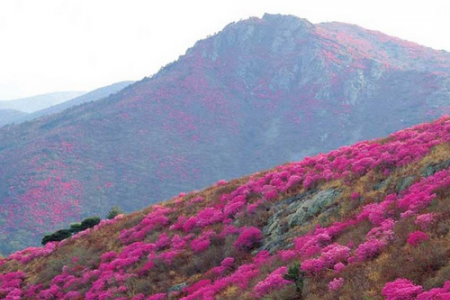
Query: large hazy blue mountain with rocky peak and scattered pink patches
(260, 93)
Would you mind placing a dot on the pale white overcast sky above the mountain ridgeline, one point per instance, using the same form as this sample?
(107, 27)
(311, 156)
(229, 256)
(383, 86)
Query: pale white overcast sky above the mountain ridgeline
(79, 45)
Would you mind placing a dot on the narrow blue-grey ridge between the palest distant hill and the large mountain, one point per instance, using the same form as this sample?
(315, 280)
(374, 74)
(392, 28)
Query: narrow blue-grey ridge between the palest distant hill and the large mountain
(88, 97)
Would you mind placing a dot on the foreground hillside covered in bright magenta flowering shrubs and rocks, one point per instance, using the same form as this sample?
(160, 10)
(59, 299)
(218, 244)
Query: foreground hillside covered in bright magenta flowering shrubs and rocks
(367, 221)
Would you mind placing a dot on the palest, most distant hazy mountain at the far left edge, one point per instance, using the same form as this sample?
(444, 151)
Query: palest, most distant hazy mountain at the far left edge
(35, 103)
